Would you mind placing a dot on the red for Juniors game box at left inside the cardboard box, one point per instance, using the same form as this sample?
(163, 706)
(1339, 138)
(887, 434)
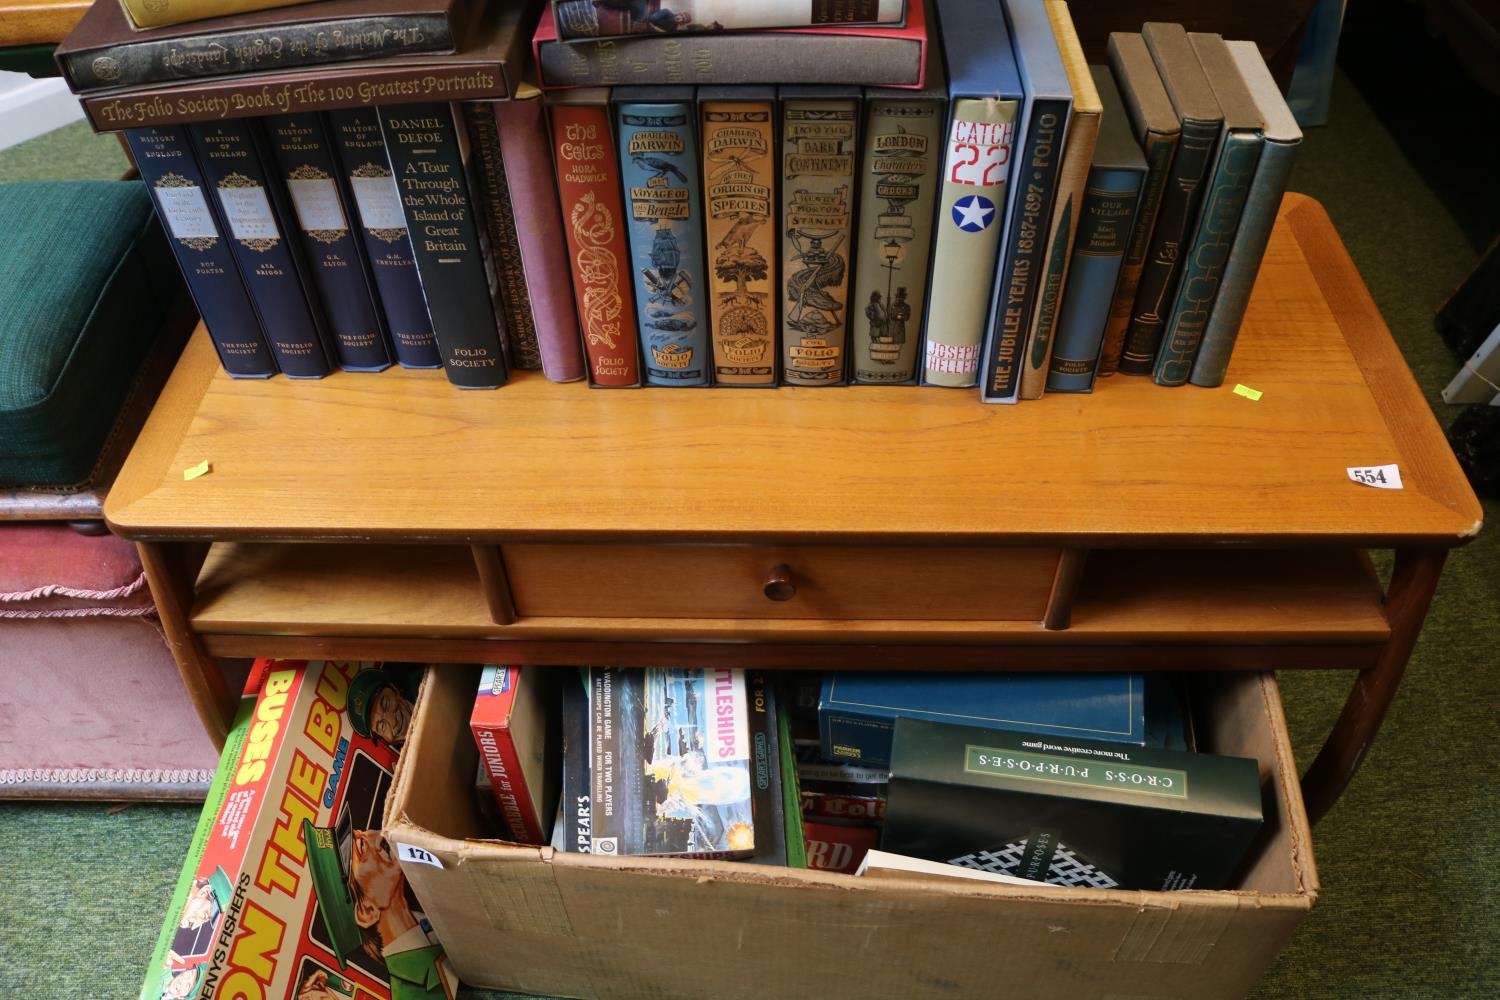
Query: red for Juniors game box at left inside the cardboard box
(515, 726)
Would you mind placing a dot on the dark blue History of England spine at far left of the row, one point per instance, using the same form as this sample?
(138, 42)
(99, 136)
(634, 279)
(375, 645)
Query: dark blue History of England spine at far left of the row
(170, 170)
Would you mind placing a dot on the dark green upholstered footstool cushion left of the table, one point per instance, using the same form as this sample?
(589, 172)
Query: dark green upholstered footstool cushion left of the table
(88, 283)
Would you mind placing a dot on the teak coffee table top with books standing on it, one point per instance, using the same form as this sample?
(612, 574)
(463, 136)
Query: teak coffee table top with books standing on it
(403, 455)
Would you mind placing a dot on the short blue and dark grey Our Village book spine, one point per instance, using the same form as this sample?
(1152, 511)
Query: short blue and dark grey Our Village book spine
(1109, 212)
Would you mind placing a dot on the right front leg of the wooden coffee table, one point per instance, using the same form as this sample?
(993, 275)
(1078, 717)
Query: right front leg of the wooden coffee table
(1414, 582)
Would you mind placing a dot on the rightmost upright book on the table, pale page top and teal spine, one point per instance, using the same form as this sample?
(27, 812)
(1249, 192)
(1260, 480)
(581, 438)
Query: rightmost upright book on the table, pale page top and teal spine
(1283, 137)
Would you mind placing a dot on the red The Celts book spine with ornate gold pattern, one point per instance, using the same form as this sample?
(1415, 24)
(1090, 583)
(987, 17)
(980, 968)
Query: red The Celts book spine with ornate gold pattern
(593, 224)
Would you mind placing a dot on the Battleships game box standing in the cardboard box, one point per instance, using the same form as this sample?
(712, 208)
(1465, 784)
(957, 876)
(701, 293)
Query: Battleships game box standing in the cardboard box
(673, 762)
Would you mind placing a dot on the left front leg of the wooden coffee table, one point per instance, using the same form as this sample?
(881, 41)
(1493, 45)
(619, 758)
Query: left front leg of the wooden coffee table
(172, 572)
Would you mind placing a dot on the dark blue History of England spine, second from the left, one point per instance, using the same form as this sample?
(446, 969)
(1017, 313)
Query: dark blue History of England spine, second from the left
(233, 166)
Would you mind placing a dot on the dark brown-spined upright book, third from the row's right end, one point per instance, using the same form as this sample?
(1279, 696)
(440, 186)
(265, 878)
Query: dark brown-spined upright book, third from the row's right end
(1192, 166)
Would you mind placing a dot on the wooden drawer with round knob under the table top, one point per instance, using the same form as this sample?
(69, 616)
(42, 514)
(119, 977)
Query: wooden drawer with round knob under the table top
(766, 581)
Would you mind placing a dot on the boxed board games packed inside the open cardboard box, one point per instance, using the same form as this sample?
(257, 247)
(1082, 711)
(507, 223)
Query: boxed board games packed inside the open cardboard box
(800, 771)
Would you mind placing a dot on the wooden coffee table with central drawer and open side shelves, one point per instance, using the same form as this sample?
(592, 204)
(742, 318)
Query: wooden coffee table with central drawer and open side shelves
(1142, 528)
